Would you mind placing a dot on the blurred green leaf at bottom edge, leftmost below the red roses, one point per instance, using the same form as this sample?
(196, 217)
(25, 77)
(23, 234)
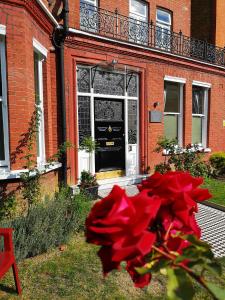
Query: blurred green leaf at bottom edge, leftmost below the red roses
(179, 286)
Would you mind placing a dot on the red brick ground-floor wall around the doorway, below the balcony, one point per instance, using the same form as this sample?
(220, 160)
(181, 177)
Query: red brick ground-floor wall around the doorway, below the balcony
(153, 67)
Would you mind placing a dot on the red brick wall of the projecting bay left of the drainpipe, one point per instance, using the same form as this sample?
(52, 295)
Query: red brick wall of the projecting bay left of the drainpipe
(21, 28)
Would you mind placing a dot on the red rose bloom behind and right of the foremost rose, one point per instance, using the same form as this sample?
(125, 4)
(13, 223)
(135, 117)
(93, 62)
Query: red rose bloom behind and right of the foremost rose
(179, 192)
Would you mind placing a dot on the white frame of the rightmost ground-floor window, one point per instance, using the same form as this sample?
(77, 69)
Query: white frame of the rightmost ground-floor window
(204, 117)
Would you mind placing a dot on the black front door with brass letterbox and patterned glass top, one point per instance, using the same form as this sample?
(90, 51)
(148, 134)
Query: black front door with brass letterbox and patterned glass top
(109, 134)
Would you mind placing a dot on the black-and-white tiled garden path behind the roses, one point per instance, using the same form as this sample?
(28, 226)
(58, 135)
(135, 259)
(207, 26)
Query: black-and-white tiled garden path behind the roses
(210, 220)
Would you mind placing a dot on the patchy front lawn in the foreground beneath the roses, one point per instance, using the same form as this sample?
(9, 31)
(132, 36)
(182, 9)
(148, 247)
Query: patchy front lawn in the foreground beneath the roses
(75, 273)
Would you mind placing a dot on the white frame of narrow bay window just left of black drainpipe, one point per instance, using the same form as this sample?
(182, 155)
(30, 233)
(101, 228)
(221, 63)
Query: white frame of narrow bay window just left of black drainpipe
(42, 54)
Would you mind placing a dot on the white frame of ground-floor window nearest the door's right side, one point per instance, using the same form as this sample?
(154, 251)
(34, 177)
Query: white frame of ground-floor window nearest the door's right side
(181, 82)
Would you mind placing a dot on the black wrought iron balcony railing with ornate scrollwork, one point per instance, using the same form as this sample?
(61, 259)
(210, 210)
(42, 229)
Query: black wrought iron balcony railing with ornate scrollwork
(116, 26)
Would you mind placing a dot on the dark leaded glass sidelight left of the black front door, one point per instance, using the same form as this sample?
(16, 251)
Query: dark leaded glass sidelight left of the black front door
(84, 121)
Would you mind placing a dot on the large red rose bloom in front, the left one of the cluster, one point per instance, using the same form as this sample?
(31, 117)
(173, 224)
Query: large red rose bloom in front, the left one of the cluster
(120, 224)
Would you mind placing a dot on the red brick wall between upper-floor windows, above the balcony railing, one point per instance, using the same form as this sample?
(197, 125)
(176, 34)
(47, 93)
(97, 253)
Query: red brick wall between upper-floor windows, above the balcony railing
(181, 11)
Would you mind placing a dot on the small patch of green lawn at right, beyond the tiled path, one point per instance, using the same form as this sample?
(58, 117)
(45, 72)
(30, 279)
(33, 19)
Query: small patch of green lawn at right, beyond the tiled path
(217, 189)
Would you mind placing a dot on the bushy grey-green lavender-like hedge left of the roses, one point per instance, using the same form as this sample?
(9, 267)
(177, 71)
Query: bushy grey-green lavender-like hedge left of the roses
(48, 224)
